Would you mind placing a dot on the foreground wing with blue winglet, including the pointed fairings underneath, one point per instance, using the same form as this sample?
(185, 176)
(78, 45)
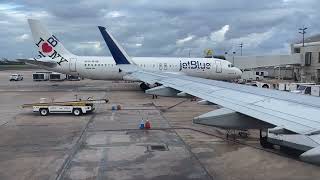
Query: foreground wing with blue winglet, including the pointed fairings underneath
(244, 107)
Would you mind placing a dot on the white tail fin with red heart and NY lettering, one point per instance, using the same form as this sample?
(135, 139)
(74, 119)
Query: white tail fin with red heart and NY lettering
(48, 45)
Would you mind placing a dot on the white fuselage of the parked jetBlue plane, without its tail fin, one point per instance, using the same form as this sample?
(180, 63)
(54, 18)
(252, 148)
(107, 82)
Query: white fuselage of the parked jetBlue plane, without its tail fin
(104, 68)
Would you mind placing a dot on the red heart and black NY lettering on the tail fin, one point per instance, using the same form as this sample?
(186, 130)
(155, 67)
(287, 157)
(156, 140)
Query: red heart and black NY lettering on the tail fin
(46, 49)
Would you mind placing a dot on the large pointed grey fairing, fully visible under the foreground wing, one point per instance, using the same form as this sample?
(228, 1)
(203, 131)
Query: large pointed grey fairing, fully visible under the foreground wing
(229, 119)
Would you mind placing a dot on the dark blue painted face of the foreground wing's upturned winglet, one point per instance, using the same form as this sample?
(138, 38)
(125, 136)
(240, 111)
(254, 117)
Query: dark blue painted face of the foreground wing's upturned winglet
(118, 56)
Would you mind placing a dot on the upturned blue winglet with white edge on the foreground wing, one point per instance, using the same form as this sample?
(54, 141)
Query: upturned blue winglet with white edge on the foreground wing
(118, 53)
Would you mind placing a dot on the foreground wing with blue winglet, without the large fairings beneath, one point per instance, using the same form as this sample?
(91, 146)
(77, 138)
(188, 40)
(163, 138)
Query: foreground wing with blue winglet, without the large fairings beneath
(296, 113)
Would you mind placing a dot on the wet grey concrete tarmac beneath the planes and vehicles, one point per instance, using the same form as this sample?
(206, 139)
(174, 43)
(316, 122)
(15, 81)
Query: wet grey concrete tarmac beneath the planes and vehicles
(108, 144)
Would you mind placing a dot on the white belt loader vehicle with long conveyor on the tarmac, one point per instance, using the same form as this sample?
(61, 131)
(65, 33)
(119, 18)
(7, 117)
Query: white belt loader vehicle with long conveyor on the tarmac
(77, 108)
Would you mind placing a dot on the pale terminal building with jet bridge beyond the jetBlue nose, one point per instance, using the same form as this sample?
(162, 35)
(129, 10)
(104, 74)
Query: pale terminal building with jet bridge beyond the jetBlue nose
(302, 65)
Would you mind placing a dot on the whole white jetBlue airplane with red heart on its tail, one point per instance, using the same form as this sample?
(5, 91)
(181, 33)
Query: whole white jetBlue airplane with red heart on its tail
(55, 57)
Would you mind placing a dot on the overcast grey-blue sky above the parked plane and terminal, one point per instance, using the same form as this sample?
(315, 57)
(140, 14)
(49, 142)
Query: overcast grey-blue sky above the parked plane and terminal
(160, 28)
